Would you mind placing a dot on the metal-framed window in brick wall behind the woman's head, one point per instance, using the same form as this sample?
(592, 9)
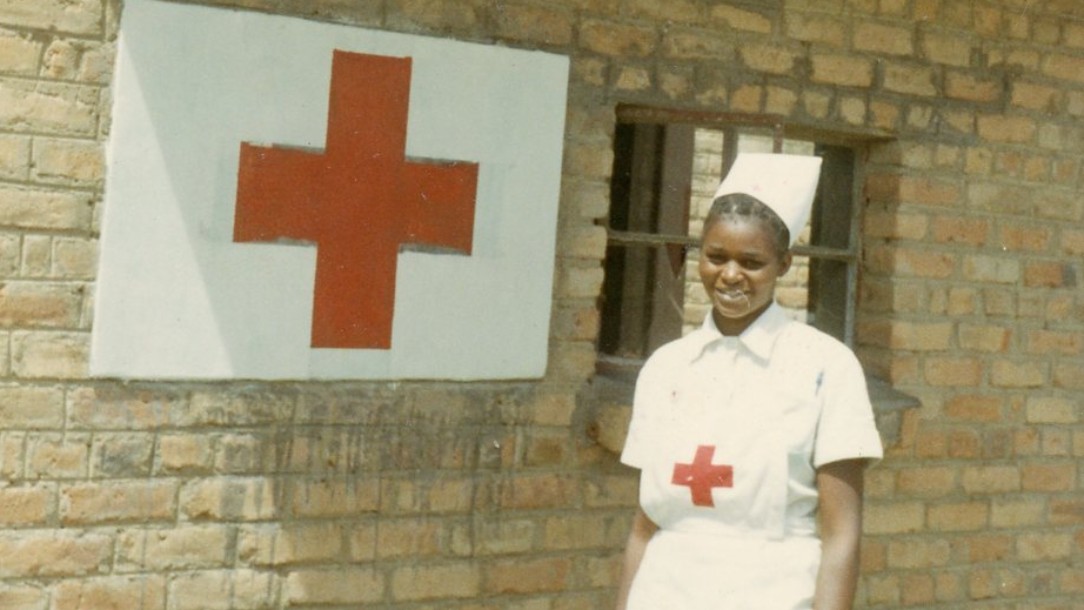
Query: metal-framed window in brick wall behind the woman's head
(667, 166)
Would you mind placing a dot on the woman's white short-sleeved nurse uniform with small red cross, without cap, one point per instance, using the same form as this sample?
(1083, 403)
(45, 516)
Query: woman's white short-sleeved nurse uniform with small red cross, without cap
(728, 434)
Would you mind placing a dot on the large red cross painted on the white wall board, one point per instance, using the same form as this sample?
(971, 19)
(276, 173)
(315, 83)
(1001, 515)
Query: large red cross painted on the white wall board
(359, 201)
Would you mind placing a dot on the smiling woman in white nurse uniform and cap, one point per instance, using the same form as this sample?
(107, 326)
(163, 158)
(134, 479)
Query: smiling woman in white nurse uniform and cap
(752, 434)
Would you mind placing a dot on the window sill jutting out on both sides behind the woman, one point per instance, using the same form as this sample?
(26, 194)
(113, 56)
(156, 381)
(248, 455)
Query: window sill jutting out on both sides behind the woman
(610, 397)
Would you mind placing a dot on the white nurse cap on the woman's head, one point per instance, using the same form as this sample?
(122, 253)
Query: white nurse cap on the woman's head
(786, 184)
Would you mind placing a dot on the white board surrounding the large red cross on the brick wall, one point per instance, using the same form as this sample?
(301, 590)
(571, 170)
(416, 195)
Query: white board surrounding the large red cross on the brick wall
(179, 297)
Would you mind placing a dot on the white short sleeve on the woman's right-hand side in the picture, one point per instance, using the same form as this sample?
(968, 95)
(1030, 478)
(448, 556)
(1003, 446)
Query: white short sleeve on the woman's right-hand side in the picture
(846, 430)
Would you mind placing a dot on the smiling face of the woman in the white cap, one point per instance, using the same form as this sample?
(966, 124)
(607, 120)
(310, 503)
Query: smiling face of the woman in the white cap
(739, 268)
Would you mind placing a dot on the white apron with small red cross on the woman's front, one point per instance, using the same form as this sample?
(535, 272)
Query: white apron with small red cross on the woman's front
(717, 487)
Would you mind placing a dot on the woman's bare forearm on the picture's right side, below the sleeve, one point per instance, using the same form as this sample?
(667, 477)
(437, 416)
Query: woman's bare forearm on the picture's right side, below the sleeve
(840, 485)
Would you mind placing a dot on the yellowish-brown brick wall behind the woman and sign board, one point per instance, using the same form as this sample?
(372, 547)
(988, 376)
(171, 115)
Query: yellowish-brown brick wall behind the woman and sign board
(156, 496)
